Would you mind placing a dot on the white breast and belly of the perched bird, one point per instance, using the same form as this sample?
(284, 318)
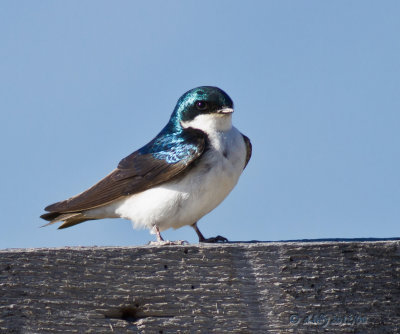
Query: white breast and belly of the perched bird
(187, 199)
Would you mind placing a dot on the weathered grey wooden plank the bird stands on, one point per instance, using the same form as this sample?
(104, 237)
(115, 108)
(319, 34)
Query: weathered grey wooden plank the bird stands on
(286, 287)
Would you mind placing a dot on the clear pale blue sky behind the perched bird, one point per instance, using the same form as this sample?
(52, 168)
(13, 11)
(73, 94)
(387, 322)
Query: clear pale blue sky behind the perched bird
(316, 86)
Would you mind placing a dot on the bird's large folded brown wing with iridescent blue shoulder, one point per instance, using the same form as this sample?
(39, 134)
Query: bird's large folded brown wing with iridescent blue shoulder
(157, 162)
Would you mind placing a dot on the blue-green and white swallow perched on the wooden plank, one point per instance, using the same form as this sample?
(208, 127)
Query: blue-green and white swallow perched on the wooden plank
(182, 174)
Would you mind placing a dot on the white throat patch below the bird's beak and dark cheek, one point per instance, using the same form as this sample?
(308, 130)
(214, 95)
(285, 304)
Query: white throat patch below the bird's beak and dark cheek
(210, 122)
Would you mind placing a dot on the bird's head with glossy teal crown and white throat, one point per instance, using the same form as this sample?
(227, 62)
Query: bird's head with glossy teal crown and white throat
(205, 108)
